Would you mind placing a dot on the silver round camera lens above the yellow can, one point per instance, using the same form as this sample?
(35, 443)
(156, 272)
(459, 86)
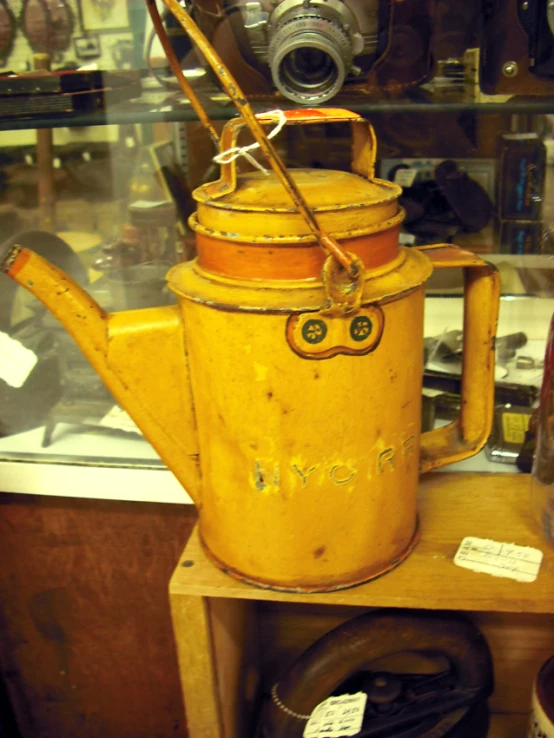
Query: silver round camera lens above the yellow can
(309, 59)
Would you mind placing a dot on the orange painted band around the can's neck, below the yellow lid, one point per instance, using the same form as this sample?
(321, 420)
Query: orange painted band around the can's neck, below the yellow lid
(289, 261)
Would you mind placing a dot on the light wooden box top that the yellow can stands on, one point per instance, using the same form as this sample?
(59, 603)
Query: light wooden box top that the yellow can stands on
(451, 507)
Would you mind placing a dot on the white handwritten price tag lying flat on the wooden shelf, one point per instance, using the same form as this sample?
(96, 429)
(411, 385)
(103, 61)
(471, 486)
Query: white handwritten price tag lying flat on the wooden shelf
(521, 563)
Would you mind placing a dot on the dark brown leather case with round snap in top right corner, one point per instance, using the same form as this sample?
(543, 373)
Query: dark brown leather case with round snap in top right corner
(517, 48)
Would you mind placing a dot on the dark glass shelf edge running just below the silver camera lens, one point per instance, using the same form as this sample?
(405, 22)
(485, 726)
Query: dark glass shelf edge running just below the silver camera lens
(157, 104)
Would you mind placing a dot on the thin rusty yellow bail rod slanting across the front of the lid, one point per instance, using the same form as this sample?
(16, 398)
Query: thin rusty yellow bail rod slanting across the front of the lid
(229, 84)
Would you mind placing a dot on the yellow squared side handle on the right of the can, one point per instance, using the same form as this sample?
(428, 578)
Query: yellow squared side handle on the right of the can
(469, 432)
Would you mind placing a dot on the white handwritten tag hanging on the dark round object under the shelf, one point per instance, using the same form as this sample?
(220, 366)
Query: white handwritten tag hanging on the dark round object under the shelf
(337, 716)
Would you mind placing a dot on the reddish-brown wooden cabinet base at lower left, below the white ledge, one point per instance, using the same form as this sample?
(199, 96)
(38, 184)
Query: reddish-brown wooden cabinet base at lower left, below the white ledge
(86, 647)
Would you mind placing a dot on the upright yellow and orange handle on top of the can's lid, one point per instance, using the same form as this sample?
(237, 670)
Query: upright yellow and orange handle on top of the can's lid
(364, 144)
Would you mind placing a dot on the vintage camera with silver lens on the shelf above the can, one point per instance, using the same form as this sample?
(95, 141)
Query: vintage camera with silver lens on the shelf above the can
(308, 50)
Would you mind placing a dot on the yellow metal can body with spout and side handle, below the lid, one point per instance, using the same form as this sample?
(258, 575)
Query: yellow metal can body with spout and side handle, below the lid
(309, 465)
